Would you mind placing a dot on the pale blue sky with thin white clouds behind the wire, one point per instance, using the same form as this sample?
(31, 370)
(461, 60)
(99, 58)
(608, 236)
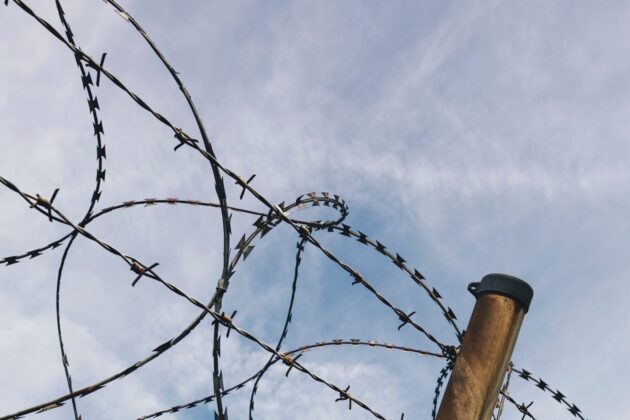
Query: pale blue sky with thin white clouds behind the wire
(469, 137)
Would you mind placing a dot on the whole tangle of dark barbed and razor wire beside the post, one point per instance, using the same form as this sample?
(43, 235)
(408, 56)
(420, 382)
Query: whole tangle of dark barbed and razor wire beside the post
(275, 215)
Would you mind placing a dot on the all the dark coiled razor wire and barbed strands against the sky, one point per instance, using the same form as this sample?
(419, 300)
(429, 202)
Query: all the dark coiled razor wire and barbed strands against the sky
(273, 215)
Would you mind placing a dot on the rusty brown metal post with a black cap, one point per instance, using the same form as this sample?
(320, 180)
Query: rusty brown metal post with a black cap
(482, 361)
